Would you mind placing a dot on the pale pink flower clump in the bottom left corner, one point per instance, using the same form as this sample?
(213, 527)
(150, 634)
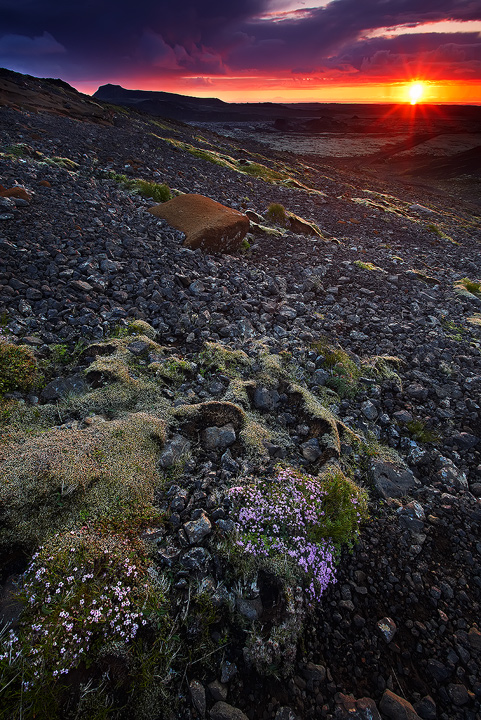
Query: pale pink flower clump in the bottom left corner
(78, 601)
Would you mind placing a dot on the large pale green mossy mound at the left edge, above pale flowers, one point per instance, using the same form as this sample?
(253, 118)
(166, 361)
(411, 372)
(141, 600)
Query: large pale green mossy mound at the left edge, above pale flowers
(61, 478)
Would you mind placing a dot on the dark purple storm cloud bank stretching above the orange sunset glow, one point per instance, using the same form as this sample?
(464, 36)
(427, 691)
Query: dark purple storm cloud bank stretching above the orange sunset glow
(142, 38)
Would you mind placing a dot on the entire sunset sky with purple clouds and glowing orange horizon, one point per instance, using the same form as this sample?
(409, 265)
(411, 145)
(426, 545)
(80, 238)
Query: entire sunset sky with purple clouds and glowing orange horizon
(252, 50)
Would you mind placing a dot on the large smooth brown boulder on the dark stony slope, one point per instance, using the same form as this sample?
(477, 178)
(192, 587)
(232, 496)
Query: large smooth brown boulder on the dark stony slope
(207, 224)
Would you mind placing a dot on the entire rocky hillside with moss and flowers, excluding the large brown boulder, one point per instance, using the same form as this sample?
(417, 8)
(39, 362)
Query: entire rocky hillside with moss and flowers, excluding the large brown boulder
(233, 485)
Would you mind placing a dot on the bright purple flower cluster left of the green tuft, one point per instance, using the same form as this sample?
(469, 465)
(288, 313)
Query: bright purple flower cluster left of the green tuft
(275, 519)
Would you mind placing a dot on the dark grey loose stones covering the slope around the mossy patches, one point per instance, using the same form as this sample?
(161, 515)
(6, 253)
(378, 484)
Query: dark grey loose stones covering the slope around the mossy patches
(80, 257)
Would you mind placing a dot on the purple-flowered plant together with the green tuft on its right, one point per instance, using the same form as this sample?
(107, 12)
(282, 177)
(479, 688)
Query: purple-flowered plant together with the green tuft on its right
(301, 518)
